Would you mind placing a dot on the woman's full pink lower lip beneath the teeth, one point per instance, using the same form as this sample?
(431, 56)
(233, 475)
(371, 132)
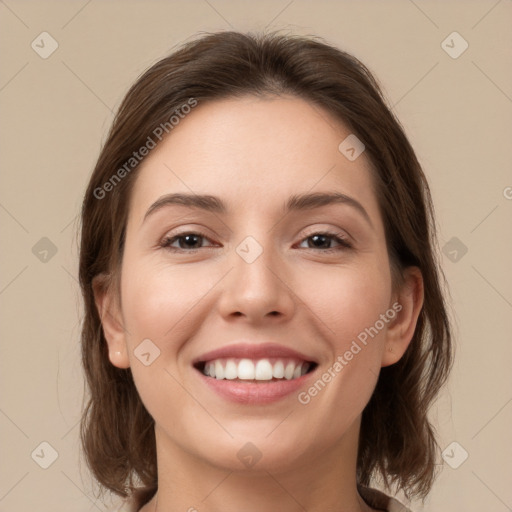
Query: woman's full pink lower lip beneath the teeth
(255, 392)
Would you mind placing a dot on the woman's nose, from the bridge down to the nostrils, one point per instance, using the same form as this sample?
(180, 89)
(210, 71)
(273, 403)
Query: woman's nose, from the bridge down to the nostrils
(259, 289)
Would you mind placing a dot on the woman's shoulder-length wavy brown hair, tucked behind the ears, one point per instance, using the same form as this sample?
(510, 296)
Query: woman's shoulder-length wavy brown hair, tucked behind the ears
(397, 441)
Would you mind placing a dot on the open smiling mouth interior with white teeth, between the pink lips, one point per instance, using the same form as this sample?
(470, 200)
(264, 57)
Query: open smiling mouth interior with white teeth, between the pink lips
(255, 370)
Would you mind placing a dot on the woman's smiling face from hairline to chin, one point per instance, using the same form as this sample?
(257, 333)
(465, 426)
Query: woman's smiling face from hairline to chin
(254, 282)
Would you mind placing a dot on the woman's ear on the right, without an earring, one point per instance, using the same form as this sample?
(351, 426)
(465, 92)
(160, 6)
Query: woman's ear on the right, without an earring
(408, 305)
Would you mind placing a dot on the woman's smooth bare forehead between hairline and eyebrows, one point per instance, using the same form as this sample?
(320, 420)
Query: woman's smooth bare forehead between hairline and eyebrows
(253, 149)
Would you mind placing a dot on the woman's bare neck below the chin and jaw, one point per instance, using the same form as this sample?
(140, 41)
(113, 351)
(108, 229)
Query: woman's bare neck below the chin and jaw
(324, 482)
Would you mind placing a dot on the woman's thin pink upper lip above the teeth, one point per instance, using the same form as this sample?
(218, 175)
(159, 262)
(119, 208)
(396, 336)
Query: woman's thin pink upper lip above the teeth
(253, 351)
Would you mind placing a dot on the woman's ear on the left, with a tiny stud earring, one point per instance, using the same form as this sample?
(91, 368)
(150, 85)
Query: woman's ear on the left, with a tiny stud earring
(111, 319)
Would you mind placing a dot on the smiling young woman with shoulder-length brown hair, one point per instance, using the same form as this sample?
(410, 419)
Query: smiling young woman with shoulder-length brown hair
(265, 326)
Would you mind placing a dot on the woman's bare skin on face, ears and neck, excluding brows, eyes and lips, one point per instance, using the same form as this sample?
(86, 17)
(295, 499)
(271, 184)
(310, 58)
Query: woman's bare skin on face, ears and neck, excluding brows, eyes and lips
(254, 153)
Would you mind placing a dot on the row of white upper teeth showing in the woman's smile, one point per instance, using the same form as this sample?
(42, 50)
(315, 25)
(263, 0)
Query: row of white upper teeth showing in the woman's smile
(261, 369)
